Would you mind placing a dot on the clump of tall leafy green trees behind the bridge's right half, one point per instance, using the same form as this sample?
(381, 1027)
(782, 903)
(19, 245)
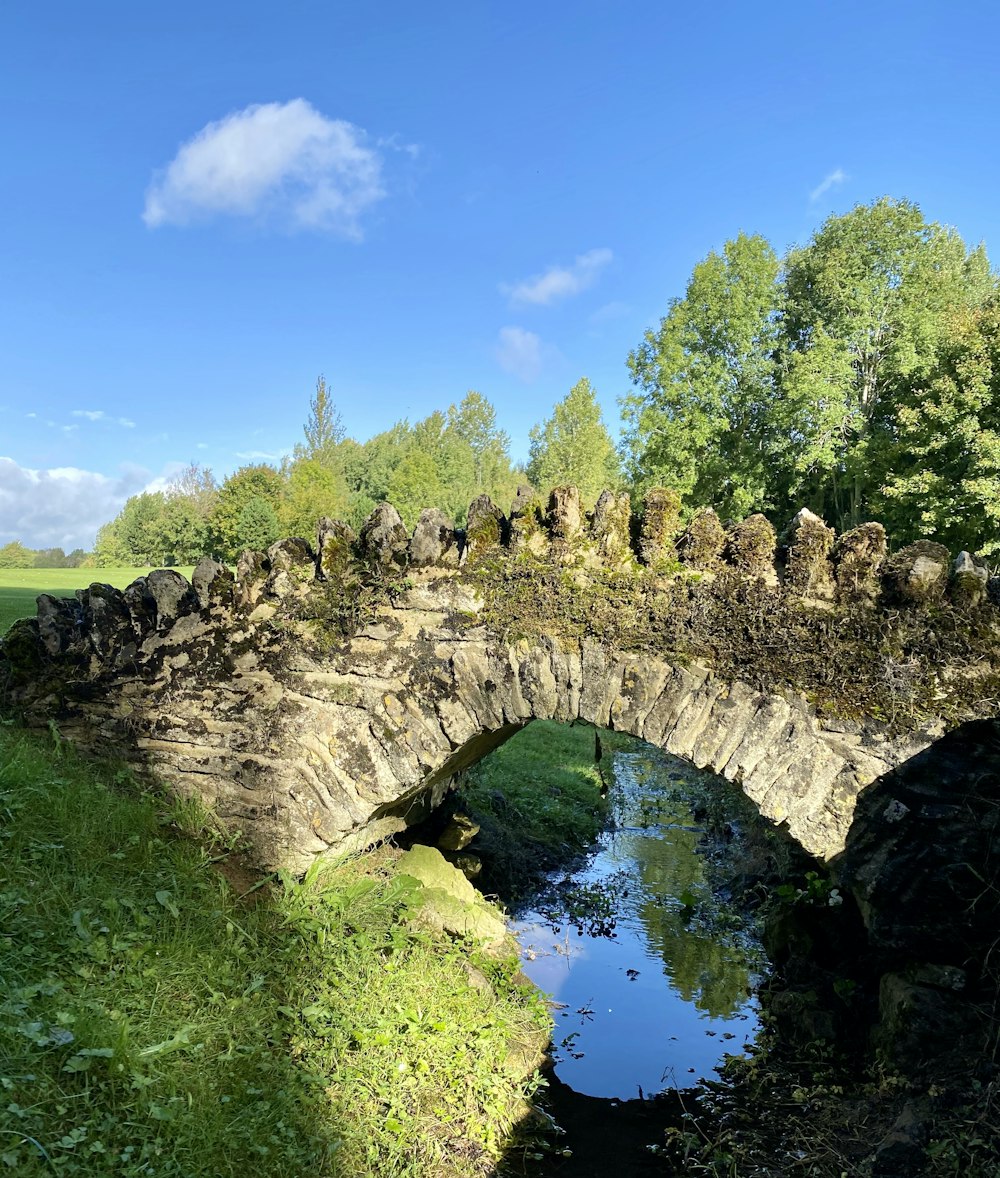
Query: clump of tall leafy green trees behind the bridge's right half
(855, 378)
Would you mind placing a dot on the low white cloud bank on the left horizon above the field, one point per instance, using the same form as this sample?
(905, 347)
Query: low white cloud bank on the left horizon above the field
(63, 507)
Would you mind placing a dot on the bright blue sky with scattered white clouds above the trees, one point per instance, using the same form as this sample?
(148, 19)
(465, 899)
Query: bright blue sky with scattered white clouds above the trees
(204, 207)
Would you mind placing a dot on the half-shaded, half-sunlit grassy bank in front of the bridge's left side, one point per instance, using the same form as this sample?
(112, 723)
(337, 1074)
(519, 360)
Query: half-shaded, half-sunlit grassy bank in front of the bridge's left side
(155, 1024)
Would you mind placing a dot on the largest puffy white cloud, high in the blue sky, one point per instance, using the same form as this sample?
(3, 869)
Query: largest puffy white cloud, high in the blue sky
(275, 161)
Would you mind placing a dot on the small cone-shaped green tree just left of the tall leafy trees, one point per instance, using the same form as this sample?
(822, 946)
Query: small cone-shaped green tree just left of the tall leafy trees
(574, 447)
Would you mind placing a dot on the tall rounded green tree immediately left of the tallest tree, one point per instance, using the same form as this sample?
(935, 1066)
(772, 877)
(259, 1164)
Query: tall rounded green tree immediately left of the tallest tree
(701, 421)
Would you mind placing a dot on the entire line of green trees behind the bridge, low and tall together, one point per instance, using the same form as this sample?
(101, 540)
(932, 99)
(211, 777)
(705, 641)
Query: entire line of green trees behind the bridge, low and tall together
(858, 375)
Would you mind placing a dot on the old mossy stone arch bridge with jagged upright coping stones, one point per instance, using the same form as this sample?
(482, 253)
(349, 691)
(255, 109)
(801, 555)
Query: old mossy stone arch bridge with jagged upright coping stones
(328, 694)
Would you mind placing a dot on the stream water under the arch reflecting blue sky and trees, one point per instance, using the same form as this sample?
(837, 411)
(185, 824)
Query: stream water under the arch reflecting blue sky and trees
(650, 965)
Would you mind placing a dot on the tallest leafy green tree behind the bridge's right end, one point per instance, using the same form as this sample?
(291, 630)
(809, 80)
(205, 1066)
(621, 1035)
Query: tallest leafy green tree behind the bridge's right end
(870, 306)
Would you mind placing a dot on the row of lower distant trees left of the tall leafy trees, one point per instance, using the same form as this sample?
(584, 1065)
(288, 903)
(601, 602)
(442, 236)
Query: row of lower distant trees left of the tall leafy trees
(446, 461)
